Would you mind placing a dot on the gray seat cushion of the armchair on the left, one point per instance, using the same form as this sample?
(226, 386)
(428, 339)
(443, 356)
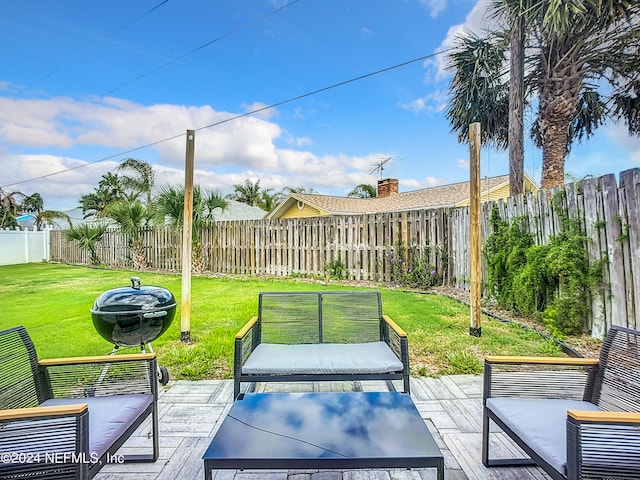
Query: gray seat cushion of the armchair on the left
(109, 416)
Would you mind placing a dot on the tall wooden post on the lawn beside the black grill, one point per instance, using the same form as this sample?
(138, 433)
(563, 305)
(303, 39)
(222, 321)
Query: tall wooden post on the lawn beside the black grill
(187, 238)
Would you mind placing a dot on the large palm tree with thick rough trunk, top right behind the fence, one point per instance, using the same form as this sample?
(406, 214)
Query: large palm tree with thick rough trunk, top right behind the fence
(585, 68)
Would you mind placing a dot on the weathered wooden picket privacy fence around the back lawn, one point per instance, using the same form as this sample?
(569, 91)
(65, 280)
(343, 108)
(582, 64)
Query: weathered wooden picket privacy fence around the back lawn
(367, 245)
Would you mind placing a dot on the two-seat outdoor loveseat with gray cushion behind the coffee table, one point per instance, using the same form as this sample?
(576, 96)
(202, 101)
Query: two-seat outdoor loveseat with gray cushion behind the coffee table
(320, 336)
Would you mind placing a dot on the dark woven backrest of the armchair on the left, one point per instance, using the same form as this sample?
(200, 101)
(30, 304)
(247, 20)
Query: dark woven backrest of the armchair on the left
(19, 382)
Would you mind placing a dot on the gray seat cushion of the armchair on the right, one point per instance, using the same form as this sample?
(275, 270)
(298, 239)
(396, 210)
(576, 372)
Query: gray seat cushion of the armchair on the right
(540, 423)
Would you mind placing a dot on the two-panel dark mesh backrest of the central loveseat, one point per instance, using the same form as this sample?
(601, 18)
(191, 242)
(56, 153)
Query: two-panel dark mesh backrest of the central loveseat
(320, 317)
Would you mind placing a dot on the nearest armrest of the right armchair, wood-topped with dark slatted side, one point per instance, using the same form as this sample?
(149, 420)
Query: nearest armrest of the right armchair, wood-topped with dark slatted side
(603, 444)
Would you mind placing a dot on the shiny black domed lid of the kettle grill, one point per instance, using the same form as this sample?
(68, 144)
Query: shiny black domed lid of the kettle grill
(134, 299)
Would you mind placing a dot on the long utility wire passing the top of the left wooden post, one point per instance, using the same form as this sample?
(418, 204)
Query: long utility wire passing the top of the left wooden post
(242, 115)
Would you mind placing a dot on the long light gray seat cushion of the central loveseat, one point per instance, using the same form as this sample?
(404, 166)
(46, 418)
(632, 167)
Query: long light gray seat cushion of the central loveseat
(323, 358)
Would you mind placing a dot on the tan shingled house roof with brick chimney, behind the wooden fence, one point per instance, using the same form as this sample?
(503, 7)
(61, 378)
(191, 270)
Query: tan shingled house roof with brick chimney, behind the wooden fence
(433, 197)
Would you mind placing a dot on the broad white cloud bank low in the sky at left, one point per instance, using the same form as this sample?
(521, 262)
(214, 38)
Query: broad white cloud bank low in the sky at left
(90, 130)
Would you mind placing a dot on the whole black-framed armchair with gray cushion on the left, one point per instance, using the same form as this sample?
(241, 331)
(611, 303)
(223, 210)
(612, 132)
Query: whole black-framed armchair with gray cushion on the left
(67, 418)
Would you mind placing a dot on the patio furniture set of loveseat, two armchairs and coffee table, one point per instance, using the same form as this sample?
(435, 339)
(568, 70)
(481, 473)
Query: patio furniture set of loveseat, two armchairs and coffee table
(575, 418)
